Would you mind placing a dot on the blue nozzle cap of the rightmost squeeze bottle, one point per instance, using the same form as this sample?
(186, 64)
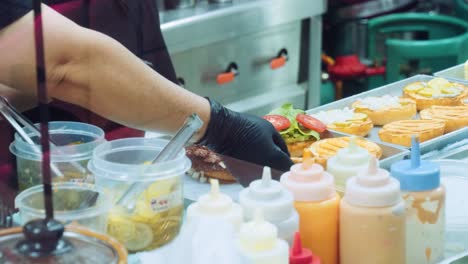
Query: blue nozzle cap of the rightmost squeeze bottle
(416, 174)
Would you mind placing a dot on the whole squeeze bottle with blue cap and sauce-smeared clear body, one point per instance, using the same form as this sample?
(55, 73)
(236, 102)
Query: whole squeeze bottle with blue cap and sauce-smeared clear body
(425, 207)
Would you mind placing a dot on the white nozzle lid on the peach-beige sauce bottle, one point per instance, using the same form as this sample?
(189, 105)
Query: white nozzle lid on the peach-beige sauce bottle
(373, 187)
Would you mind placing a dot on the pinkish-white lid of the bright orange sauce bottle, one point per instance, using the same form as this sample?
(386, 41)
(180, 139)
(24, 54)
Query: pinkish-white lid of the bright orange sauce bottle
(309, 183)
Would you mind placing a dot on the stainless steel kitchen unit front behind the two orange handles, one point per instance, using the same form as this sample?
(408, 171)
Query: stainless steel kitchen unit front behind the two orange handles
(203, 40)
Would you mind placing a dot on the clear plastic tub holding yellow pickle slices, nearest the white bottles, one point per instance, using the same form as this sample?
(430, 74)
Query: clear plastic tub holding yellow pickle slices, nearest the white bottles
(158, 212)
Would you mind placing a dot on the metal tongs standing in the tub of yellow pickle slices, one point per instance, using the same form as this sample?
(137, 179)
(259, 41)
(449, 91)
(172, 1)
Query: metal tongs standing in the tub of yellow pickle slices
(192, 124)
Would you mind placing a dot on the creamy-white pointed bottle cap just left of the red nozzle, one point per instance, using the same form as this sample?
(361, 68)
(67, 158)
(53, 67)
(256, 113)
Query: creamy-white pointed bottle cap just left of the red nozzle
(258, 235)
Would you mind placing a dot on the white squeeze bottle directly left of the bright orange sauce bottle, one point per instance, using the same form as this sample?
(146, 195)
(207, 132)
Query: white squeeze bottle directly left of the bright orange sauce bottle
(276, 203)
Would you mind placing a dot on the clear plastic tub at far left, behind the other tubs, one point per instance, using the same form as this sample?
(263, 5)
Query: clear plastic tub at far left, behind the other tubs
(76, 144)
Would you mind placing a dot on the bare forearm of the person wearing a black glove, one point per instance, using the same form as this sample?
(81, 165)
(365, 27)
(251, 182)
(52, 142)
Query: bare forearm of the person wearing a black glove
(92, 70)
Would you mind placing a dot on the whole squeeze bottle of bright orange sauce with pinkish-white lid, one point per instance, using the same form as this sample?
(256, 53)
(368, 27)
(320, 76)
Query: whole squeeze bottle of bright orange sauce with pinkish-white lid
(317, 204)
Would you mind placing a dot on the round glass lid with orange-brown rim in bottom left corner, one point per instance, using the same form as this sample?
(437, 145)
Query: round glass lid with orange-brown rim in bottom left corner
(88, 247)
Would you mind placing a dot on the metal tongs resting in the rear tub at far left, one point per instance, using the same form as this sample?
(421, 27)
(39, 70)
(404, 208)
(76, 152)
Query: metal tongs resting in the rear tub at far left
(15, 118)
